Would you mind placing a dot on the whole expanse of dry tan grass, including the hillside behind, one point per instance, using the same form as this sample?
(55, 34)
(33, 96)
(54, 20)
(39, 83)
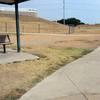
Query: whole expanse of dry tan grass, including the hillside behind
(54, 50)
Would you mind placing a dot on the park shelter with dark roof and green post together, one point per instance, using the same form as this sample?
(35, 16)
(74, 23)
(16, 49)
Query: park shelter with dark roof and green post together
(15, 2)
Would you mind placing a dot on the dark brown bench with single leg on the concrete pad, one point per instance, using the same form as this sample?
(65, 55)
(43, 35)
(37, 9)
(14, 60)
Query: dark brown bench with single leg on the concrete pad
(4, 40)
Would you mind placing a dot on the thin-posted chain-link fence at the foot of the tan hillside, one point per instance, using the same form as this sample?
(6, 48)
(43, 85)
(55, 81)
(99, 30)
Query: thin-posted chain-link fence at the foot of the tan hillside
(10, 27)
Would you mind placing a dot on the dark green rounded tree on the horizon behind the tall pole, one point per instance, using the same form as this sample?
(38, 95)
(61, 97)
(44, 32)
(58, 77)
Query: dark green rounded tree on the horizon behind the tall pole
(71, 21)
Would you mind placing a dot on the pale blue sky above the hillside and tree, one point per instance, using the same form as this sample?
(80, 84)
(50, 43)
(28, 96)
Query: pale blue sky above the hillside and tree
(87, 11)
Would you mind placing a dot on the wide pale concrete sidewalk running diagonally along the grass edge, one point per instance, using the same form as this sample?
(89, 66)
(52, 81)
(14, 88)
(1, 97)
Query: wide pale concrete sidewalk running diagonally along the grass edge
(79, 80)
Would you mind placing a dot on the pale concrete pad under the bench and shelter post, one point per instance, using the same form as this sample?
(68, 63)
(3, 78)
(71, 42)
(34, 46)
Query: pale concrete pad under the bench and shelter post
(12, 56)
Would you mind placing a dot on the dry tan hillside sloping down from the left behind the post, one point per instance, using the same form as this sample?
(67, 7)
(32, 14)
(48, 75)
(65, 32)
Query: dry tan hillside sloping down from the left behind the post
(29, 24)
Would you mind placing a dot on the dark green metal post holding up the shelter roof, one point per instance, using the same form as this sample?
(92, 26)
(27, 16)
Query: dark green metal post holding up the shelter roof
(17, 27)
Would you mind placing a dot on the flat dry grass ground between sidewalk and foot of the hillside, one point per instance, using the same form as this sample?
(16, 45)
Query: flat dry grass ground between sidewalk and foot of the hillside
(54, 52)
